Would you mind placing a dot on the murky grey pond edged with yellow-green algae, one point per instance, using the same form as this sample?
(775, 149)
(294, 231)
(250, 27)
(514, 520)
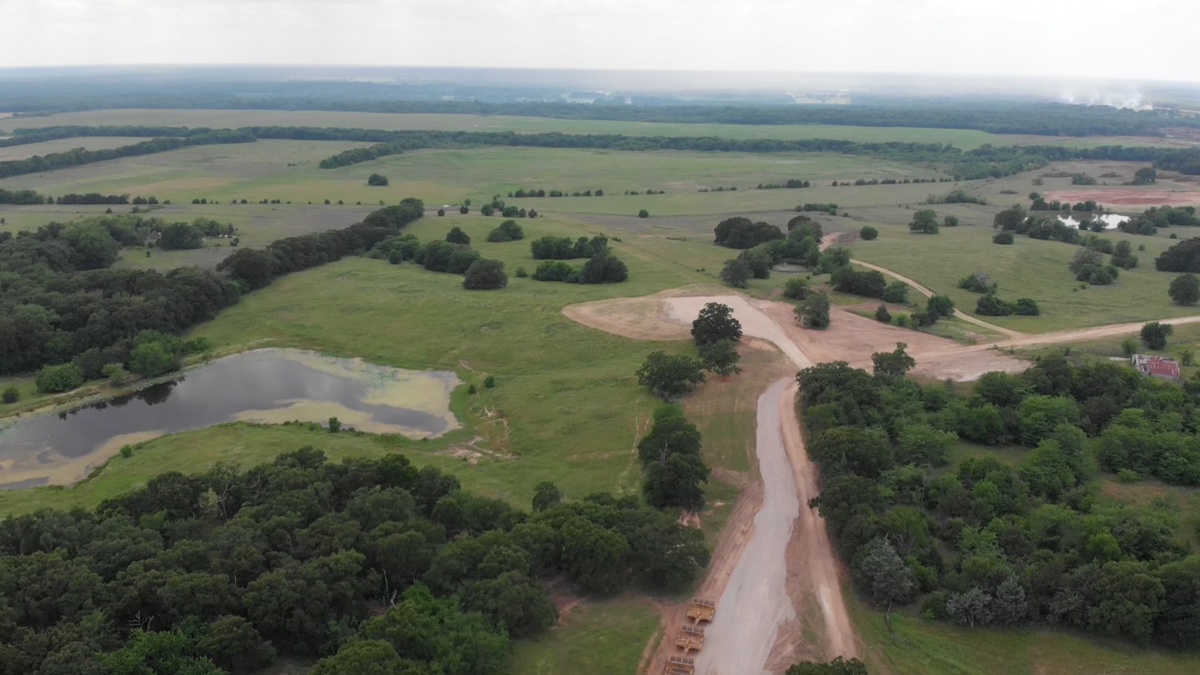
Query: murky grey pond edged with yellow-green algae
(265, 386)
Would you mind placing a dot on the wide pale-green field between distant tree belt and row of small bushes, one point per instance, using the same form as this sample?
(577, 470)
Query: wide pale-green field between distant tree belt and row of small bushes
(287, 171)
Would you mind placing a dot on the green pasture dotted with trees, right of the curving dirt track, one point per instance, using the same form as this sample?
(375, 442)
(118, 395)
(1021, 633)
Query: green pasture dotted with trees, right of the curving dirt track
(1029, 268)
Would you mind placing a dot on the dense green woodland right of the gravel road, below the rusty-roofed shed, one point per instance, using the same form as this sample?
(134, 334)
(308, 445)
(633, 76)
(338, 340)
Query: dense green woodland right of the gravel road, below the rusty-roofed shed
(988, 542)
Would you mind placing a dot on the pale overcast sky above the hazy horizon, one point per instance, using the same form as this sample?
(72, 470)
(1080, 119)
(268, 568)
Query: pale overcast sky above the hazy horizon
(1126, 39)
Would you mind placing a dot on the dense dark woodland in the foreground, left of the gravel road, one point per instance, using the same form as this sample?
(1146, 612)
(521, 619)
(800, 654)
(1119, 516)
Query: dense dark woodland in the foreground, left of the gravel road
(370, 559)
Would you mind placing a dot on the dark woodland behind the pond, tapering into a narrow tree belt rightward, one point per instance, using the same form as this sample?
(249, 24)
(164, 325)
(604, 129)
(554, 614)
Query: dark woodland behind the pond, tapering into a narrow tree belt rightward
(61, 304)
